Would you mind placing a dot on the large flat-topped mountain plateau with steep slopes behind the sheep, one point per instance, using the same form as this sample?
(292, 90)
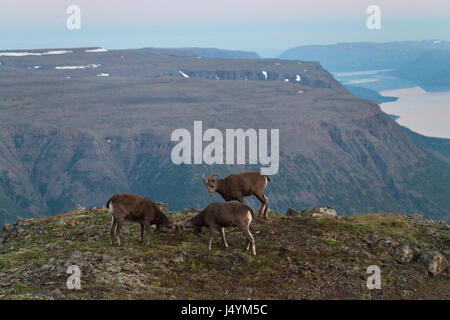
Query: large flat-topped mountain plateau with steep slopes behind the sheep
(69, 136)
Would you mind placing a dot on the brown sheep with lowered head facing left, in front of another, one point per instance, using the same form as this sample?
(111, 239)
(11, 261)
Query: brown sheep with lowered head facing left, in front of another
(222, 215)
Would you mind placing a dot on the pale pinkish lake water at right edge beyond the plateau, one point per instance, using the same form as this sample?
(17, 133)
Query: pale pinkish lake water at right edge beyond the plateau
(427, 113)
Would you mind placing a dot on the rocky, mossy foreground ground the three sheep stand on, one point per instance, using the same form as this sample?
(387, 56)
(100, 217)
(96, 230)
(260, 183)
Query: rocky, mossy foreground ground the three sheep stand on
(315, 254)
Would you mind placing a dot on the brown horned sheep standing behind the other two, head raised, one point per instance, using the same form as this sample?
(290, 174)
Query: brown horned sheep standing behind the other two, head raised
(238, 186)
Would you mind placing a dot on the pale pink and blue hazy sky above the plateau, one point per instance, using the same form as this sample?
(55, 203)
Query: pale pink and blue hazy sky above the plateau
(267, 27)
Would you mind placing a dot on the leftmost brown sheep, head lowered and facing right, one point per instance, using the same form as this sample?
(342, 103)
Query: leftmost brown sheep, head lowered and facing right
(131, 207)
